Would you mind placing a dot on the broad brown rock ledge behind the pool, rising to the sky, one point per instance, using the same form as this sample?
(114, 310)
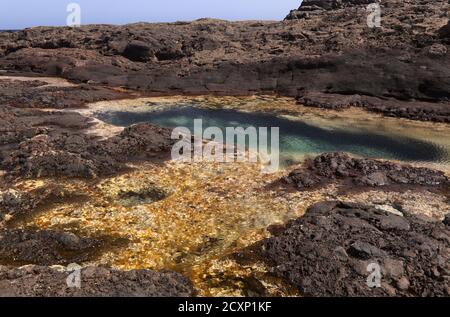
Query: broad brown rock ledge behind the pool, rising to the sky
(325, 47)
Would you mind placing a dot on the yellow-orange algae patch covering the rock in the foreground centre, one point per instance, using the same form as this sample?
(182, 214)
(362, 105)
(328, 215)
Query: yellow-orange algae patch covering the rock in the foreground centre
(212, 210)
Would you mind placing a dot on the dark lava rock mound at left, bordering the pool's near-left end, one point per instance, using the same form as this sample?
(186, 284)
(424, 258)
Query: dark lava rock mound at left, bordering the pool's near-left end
(80, 155)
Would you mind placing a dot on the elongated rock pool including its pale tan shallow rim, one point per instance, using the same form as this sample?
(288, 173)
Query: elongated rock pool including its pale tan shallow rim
(304, 134)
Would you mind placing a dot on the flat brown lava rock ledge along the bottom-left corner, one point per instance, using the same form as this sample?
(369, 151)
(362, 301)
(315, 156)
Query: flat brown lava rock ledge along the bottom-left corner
(38, 281)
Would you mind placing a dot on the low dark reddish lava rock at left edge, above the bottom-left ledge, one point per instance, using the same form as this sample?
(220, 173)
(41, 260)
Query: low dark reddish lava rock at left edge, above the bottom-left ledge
(20, 247)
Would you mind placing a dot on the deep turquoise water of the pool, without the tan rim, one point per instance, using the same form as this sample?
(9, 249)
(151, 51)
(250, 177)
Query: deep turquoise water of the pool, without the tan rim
(297, 138)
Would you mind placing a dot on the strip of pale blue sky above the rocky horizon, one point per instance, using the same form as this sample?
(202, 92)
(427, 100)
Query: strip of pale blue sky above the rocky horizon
(17, 14)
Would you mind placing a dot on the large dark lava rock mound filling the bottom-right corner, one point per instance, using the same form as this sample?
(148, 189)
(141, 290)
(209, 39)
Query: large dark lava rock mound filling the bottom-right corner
(327, 252)
